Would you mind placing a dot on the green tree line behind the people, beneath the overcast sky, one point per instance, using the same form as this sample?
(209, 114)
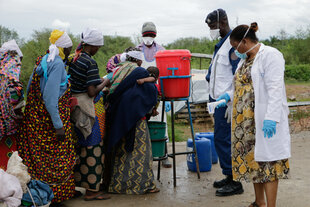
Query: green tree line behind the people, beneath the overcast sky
(294, 48)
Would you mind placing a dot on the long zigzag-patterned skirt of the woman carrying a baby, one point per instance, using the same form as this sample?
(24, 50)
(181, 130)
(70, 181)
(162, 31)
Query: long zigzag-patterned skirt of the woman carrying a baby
(132, 172)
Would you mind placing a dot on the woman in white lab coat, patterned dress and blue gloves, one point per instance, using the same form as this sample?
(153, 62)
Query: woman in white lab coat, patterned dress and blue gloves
(260, 134)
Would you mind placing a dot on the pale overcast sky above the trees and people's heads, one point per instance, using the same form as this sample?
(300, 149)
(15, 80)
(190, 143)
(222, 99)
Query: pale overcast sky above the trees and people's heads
(173, 18)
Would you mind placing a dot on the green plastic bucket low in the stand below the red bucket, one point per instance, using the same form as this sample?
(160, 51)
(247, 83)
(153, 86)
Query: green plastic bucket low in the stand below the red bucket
(157, 133)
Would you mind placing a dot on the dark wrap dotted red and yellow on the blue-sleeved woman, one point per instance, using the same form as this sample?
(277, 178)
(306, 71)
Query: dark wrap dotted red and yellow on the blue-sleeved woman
(47, 158)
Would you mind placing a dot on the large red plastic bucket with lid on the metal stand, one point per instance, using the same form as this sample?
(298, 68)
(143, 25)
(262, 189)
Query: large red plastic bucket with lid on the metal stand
(177, 87)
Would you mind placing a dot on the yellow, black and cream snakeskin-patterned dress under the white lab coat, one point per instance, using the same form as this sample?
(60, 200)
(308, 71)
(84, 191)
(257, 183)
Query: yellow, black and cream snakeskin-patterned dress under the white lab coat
(244, 167)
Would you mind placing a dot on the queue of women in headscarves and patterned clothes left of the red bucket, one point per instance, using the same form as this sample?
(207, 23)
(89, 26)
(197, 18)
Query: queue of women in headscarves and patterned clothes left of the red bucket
(70, 123)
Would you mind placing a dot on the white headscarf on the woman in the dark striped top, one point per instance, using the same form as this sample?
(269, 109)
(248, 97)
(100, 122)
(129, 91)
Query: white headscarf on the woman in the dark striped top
(92, 37)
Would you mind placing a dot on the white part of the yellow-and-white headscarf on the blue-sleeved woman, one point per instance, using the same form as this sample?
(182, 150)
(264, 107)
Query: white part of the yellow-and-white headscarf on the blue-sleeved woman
(64, 41)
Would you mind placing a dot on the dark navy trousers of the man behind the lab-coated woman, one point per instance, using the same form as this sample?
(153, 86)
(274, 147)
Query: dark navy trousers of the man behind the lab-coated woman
(222, 139)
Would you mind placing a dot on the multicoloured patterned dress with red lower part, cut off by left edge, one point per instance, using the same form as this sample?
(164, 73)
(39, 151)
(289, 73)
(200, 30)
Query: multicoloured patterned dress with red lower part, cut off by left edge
(12, 100)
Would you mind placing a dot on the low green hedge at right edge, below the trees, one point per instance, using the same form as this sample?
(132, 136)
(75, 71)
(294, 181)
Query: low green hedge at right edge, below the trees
(299, 72)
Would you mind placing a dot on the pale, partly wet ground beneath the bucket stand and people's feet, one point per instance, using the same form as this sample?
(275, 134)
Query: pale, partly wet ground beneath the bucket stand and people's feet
(193, 192)
